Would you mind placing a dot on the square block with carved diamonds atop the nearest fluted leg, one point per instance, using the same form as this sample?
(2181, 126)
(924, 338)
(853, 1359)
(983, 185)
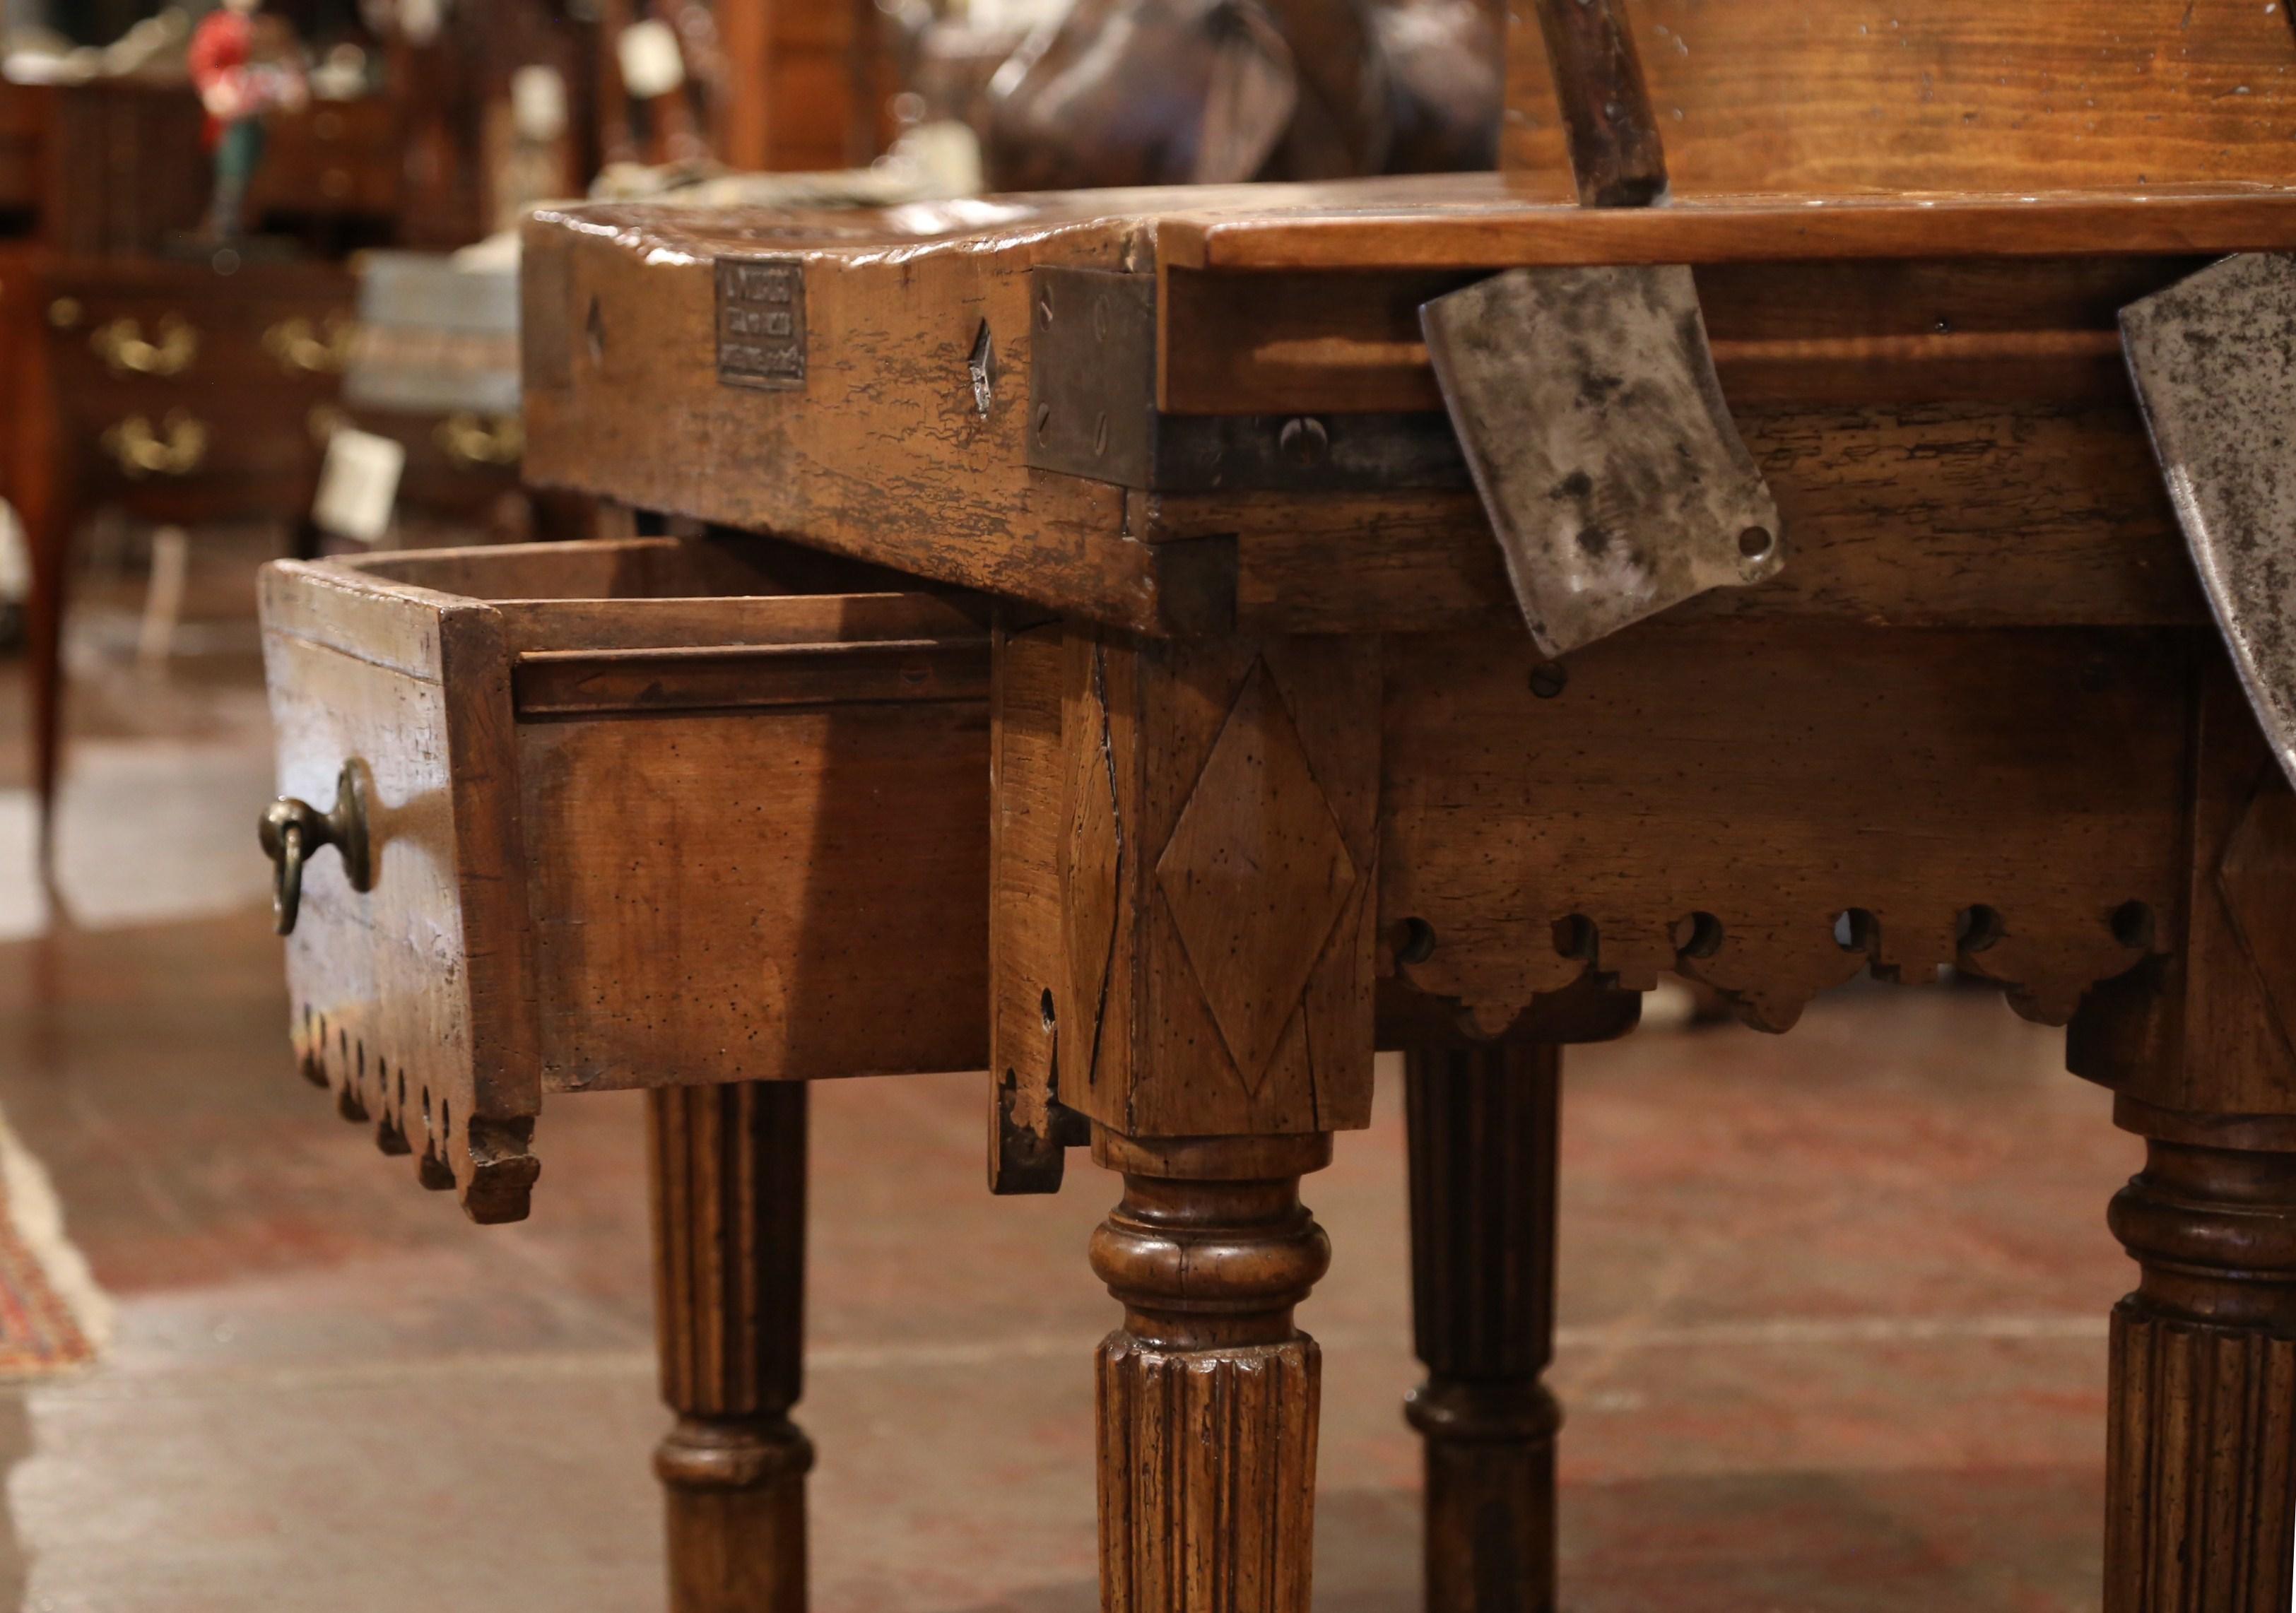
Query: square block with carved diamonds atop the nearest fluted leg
(1218, 875)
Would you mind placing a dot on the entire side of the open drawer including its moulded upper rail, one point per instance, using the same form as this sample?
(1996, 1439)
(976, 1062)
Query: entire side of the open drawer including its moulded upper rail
(761, 857)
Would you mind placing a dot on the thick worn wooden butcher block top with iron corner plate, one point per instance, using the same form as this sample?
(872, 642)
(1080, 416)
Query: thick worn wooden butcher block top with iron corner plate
(1209, 410)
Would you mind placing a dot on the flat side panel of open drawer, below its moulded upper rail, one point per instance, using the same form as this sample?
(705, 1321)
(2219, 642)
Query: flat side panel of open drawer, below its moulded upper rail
(759, 896)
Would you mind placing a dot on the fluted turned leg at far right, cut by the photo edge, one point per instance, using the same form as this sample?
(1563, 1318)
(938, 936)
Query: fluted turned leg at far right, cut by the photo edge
(2203, 1440)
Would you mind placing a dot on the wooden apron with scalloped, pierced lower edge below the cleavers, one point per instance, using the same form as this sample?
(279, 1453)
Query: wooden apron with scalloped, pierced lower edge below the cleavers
(1778, 809)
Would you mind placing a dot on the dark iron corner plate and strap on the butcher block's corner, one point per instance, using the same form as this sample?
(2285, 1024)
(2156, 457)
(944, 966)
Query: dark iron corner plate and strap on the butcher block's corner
(1092, 412)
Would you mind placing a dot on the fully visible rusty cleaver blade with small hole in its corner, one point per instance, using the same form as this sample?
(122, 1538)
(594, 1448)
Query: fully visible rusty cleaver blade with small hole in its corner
(1595, 426)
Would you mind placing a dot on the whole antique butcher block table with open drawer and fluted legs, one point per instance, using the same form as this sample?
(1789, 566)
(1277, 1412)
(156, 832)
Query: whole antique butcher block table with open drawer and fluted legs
(1078, 653)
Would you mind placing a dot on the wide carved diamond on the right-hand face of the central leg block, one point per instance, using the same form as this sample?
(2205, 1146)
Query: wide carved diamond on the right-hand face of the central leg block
(1255, 873)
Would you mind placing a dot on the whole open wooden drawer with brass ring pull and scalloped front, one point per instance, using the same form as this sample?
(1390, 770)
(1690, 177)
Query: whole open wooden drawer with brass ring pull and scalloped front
(635, 813)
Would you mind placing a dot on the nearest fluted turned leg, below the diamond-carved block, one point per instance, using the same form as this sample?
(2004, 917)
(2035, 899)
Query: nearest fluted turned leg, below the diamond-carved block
(1209, 1392)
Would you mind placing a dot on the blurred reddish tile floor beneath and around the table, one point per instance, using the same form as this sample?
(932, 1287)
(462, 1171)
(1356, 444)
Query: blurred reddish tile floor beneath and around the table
(1833, 1304)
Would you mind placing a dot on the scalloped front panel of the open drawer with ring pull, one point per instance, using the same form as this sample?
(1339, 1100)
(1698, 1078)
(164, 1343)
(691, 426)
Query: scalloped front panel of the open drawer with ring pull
(410, 997)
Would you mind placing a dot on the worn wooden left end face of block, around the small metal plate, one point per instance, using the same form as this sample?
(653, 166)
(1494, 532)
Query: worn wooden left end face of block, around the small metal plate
(874, 449)
